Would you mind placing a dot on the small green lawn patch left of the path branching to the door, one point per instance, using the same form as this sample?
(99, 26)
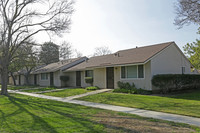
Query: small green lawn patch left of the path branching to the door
(67, 92)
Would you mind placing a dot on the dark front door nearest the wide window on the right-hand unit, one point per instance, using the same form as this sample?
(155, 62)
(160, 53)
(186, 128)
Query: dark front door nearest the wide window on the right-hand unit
(110, 77)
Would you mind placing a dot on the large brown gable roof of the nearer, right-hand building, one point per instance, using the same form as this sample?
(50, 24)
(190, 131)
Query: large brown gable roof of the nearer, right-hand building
(122, 57)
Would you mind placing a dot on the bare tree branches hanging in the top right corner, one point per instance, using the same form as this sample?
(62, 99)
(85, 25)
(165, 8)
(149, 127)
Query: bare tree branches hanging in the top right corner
(188, 11)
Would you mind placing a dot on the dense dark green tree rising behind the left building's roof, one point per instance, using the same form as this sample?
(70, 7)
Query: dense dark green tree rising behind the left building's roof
(49, 53)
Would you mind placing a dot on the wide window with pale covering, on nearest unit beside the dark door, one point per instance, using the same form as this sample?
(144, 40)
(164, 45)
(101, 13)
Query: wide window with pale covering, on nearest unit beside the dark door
(136, 71)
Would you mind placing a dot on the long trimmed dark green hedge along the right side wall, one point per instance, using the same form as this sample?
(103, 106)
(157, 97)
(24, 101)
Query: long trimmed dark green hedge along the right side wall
(173, 82)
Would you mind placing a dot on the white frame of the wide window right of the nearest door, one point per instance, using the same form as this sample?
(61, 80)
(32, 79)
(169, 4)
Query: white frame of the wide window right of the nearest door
(137, 73)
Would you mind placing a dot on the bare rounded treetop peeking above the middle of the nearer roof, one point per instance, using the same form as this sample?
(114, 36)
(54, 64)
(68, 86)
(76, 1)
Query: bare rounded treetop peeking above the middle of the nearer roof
(102, 51)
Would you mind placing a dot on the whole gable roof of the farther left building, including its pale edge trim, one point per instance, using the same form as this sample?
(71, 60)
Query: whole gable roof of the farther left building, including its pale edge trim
(61, 65)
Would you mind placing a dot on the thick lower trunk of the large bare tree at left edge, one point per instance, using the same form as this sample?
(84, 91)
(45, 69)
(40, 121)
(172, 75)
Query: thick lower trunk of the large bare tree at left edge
(4, 78)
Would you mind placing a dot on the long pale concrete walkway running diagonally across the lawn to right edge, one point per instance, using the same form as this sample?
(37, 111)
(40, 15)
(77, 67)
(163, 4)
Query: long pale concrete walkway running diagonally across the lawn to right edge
(140, 112)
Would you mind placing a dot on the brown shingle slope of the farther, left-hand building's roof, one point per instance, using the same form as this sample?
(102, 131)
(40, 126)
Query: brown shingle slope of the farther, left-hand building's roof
(55, 66)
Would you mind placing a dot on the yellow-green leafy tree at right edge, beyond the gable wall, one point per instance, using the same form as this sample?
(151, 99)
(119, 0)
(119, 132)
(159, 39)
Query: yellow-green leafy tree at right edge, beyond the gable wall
(193, 52)
